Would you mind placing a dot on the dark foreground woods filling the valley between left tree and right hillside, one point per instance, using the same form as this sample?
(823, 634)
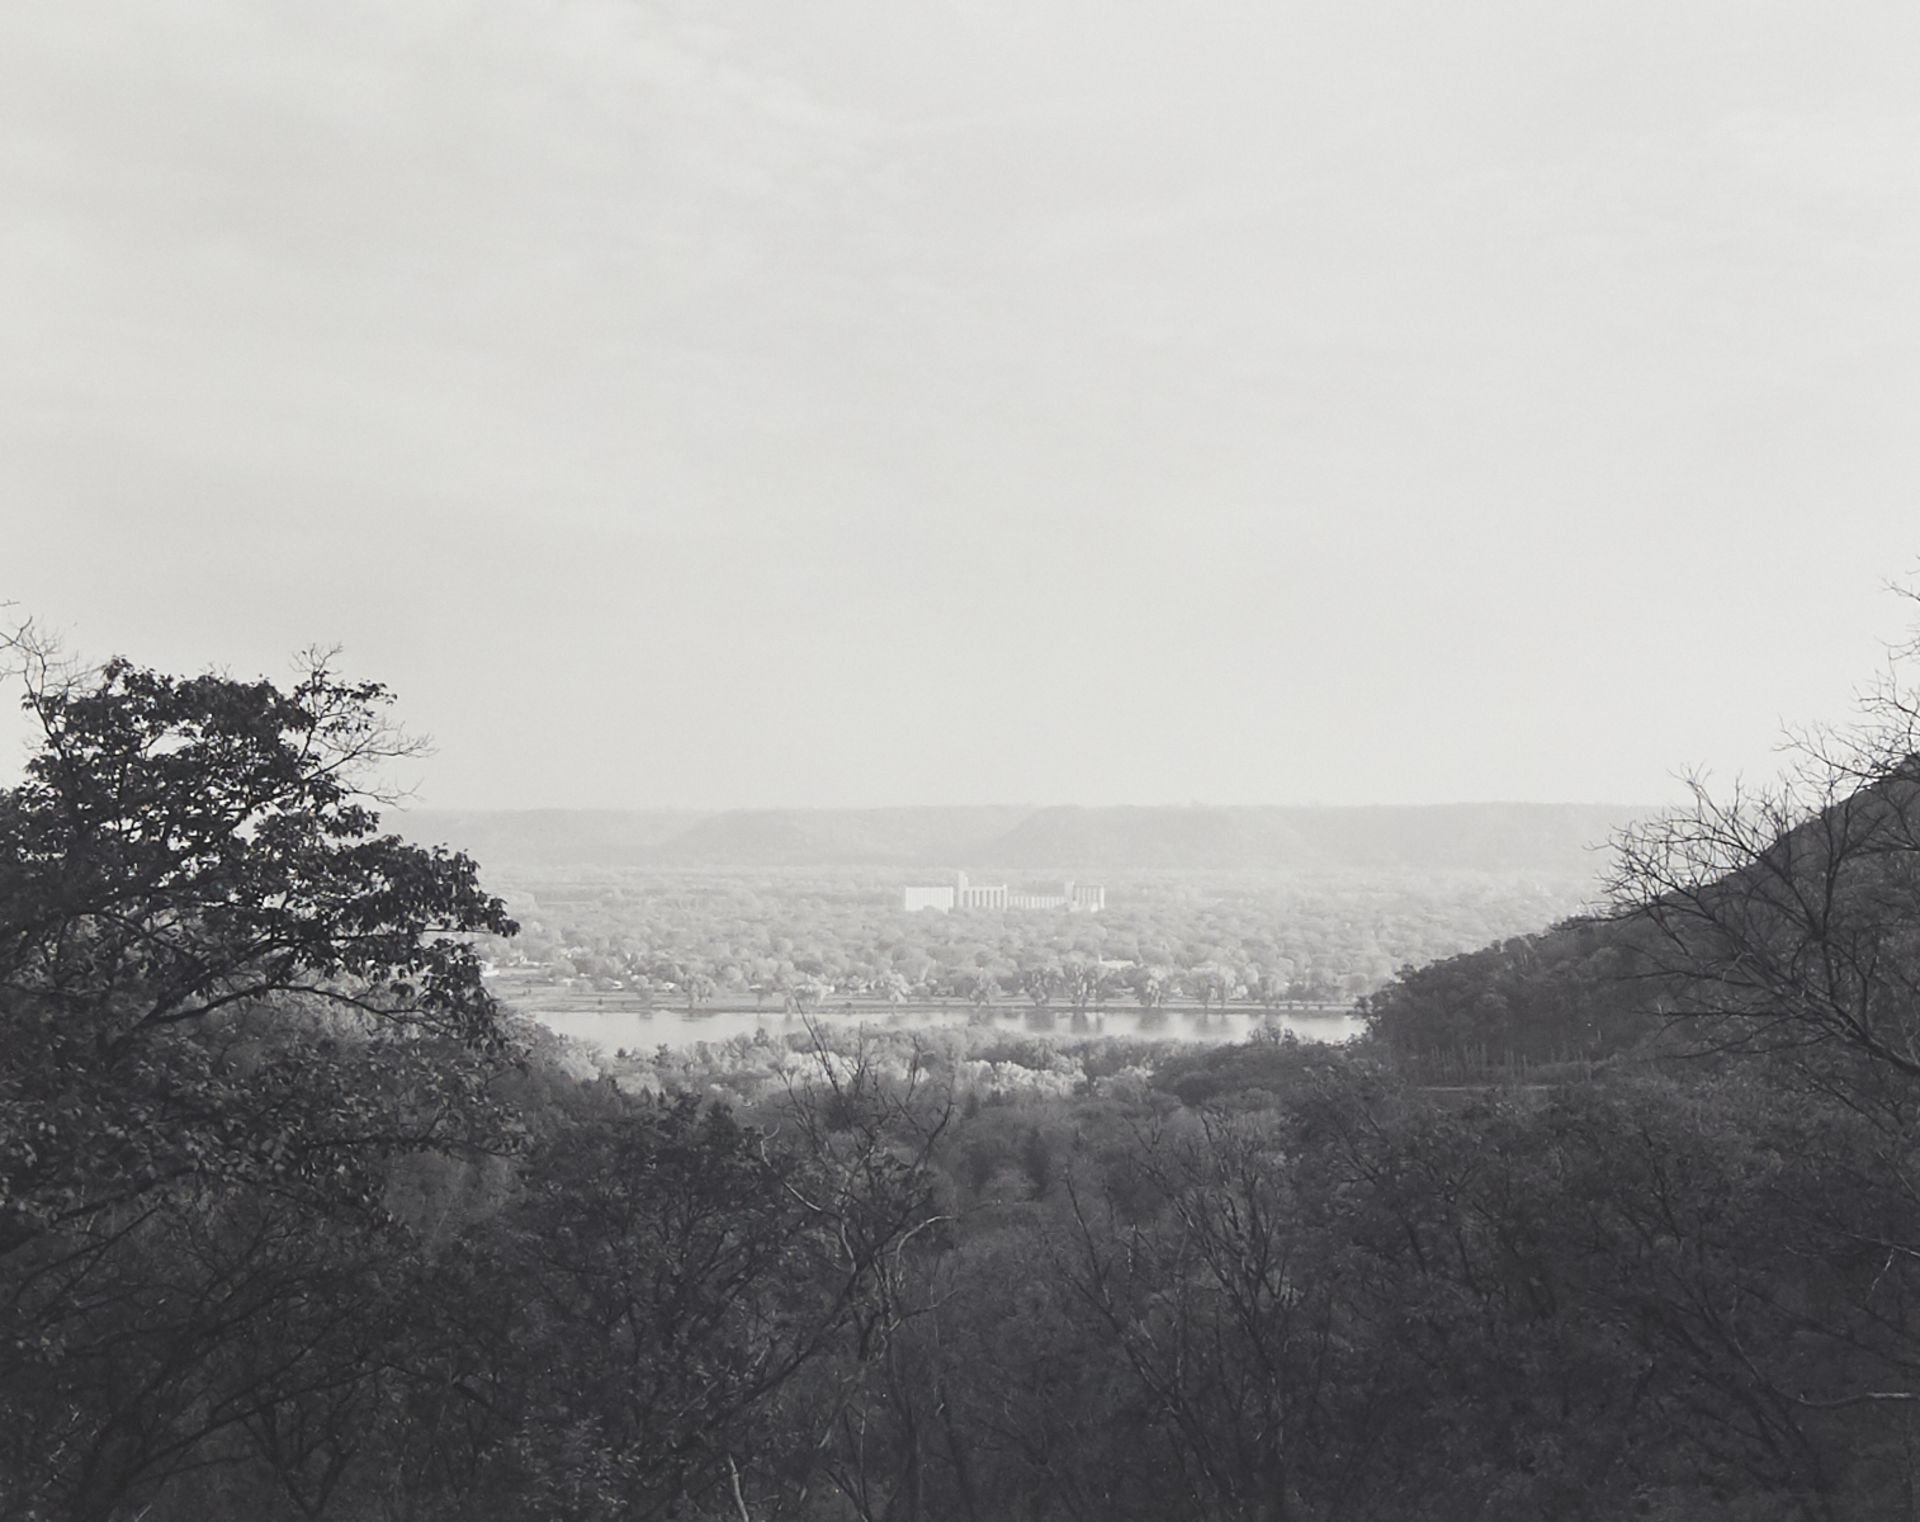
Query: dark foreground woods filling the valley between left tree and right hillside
(1264, 1283)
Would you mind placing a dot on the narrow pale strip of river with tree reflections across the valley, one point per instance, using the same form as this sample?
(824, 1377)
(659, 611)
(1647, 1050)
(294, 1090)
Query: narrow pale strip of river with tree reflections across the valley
(675, 1028)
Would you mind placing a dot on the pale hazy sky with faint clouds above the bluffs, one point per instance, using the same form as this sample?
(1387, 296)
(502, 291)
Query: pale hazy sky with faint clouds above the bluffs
(974, 402)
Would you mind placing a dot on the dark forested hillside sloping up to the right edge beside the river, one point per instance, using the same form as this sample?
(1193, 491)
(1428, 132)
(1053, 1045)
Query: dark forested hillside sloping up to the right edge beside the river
(1767, 924)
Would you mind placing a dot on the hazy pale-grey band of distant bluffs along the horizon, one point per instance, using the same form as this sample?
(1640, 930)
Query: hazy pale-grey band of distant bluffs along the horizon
(1558, 840)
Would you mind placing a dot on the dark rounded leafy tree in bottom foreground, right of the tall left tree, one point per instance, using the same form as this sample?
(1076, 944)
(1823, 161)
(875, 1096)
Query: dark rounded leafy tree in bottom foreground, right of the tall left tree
(663, 1277)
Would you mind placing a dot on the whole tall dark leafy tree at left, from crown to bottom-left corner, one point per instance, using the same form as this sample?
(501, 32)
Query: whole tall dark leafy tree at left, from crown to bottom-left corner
(226, 1003)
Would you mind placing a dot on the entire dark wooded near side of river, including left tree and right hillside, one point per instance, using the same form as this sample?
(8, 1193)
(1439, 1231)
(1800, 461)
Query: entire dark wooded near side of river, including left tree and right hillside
(299, 1222)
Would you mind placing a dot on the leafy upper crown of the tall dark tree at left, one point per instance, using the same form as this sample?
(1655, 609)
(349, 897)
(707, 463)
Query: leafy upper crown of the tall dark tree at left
(185, 845)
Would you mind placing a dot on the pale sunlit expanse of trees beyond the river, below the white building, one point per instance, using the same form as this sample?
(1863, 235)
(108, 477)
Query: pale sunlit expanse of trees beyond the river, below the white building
(805, 939)
